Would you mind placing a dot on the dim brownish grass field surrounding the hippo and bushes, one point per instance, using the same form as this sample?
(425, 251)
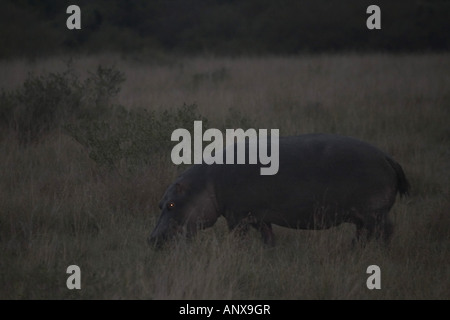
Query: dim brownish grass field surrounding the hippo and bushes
(57, 208)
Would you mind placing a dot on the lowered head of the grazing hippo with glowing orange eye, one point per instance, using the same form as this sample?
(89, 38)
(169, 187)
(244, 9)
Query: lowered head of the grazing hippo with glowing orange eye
(187, 206)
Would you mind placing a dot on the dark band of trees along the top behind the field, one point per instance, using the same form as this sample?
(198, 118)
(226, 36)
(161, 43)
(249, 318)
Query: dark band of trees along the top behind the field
(228, 27)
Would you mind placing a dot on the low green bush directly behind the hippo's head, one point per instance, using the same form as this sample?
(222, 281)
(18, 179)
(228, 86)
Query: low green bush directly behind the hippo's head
(132, 138)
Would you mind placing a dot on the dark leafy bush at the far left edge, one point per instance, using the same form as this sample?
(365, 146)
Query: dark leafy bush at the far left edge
(46, 102)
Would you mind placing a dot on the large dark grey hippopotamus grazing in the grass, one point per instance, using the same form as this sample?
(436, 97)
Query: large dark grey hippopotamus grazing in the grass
(324, 180)
